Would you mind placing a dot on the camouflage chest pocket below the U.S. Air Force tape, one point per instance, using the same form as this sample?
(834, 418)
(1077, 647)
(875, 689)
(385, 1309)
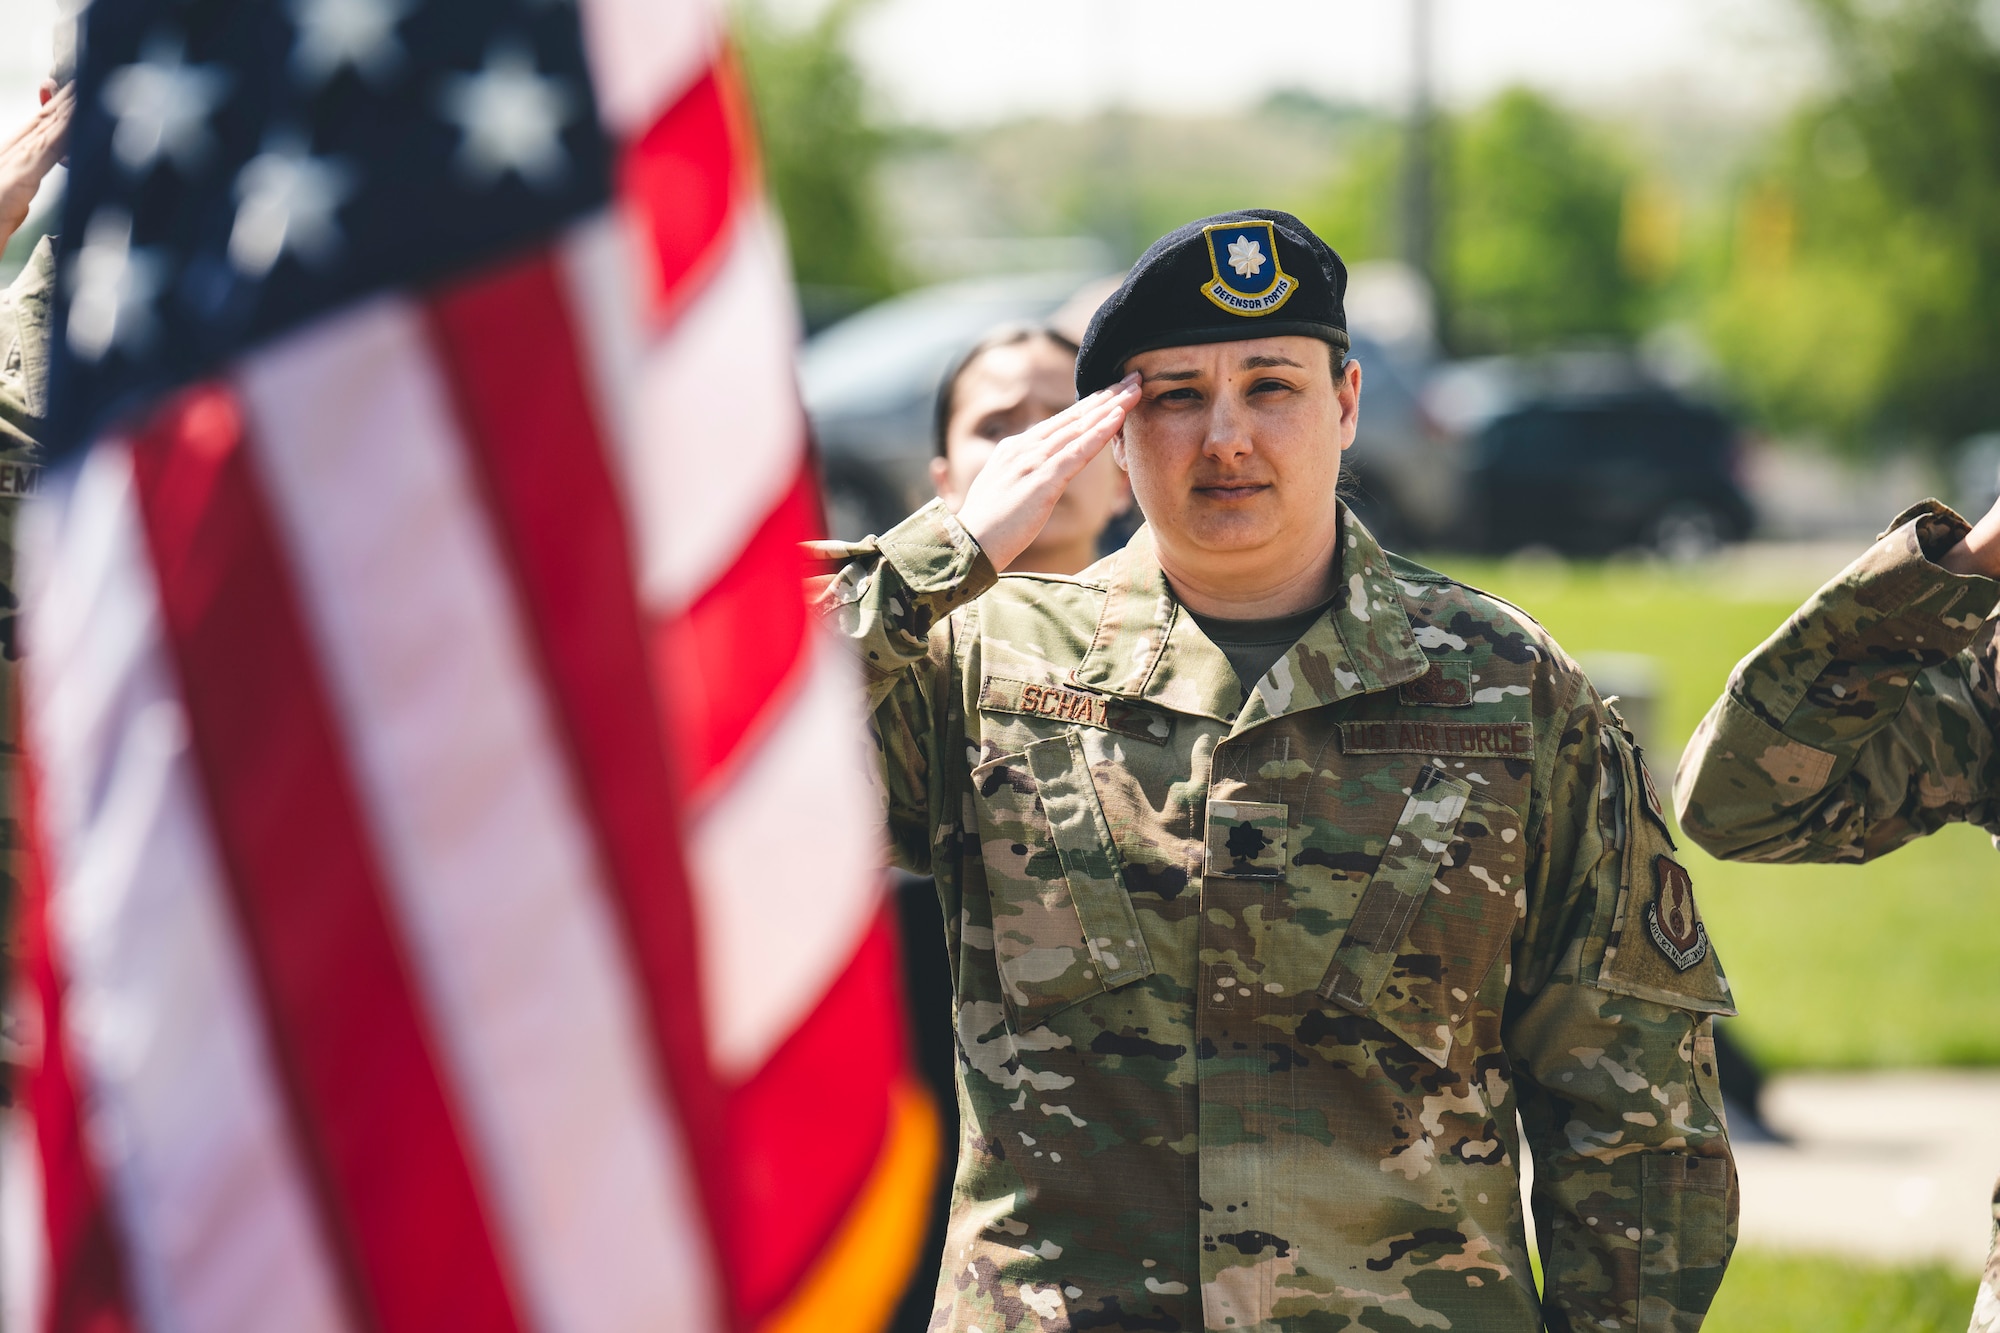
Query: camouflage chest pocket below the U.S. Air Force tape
(1433, 920)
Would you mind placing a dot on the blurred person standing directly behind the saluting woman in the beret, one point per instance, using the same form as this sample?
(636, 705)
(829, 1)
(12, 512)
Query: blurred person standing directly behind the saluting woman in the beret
(1015, 377)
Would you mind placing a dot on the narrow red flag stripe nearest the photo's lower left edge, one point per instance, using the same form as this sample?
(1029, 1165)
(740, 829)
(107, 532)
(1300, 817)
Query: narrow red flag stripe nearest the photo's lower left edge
(87, 1286)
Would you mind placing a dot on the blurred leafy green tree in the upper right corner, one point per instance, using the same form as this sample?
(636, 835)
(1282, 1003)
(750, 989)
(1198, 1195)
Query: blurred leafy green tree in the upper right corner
(1863, 285)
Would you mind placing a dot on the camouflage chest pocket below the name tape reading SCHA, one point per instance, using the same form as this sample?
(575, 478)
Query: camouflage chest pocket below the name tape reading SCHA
(1063, 924)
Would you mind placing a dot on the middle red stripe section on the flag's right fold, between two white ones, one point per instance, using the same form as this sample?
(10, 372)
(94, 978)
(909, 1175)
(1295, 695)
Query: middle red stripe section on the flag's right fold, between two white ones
(725, 661)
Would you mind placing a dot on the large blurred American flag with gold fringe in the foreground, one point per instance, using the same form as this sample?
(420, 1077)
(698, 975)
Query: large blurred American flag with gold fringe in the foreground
(457, 892)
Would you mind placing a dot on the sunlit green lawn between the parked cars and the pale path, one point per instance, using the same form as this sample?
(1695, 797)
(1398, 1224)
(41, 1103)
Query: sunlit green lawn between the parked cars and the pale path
(1881, 966)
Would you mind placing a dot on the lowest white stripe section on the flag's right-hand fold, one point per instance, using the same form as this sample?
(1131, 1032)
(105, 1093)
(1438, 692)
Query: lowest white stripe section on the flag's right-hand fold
(785, 866)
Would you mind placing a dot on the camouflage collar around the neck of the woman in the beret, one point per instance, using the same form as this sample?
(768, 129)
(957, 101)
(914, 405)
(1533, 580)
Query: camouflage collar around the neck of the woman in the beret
(1149, 647)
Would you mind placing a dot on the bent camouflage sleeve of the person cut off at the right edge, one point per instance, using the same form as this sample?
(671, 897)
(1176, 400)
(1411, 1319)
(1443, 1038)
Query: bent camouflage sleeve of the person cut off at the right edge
(1865, 722)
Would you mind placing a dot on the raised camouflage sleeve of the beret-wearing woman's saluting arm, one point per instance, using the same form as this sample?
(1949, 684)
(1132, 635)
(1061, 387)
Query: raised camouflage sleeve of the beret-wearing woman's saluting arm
(893, 601)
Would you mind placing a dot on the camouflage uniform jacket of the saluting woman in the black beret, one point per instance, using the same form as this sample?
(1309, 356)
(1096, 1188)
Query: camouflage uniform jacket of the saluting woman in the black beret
(1251, 992)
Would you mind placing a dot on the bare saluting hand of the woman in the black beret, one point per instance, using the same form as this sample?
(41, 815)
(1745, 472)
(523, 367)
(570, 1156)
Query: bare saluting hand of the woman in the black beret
(1019, 487)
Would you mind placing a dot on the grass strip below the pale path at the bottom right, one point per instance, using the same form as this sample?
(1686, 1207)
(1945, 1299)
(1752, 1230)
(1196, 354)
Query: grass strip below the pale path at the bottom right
(1791, 1294)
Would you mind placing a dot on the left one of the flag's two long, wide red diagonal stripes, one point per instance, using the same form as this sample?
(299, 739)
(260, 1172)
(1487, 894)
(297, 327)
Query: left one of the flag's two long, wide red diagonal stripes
(347, 1024)
